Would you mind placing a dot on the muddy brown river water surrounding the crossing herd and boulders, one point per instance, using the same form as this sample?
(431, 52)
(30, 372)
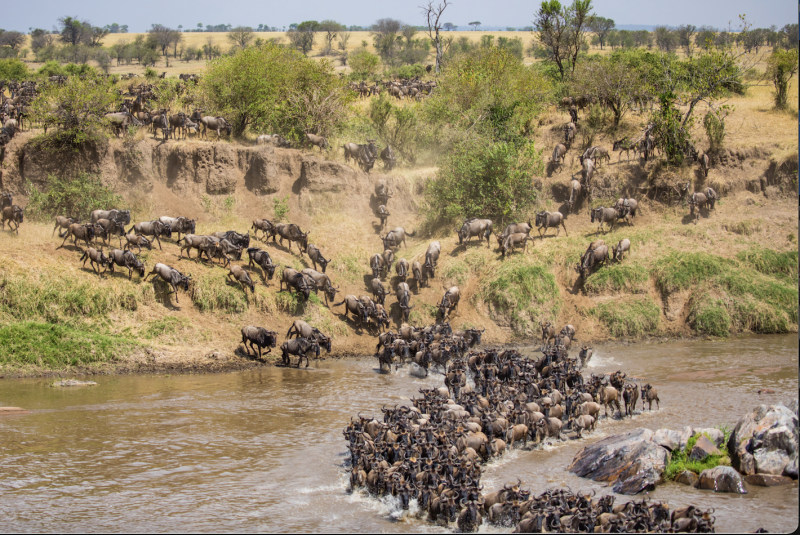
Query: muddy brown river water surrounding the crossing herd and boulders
(263, 450)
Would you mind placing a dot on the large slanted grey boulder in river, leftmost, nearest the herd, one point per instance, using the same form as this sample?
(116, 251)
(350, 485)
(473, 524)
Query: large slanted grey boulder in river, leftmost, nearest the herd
(632, 462)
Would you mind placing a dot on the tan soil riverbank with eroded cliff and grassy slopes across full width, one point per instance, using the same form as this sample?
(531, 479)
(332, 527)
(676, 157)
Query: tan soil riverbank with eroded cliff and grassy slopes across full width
(735, 271)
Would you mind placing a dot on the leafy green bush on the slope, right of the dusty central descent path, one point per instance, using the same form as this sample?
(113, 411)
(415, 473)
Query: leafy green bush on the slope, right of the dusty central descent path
(479, 178)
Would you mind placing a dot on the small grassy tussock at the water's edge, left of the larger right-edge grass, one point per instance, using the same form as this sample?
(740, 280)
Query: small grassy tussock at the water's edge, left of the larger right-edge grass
(630, 317)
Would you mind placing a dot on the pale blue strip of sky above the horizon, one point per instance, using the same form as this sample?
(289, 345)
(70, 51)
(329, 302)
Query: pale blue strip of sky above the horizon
(141, 14)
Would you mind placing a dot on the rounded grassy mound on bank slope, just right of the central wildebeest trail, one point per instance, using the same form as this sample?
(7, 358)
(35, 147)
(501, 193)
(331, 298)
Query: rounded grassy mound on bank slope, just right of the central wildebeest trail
(521, 294)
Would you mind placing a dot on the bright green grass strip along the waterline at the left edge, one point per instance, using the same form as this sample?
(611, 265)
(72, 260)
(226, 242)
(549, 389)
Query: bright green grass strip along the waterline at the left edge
(56, 346)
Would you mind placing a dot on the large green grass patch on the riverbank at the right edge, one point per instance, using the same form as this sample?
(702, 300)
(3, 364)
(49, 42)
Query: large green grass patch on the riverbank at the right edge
(756, 301)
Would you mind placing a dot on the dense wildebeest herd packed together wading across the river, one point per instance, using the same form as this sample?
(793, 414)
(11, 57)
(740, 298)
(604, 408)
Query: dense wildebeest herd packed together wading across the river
(432, 450)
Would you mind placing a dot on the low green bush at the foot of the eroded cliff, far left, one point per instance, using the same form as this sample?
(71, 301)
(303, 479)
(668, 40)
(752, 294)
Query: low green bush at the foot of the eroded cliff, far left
(73, 197)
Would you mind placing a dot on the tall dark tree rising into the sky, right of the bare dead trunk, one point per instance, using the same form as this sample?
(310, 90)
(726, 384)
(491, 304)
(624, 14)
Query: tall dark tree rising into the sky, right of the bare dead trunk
(562, 29)
